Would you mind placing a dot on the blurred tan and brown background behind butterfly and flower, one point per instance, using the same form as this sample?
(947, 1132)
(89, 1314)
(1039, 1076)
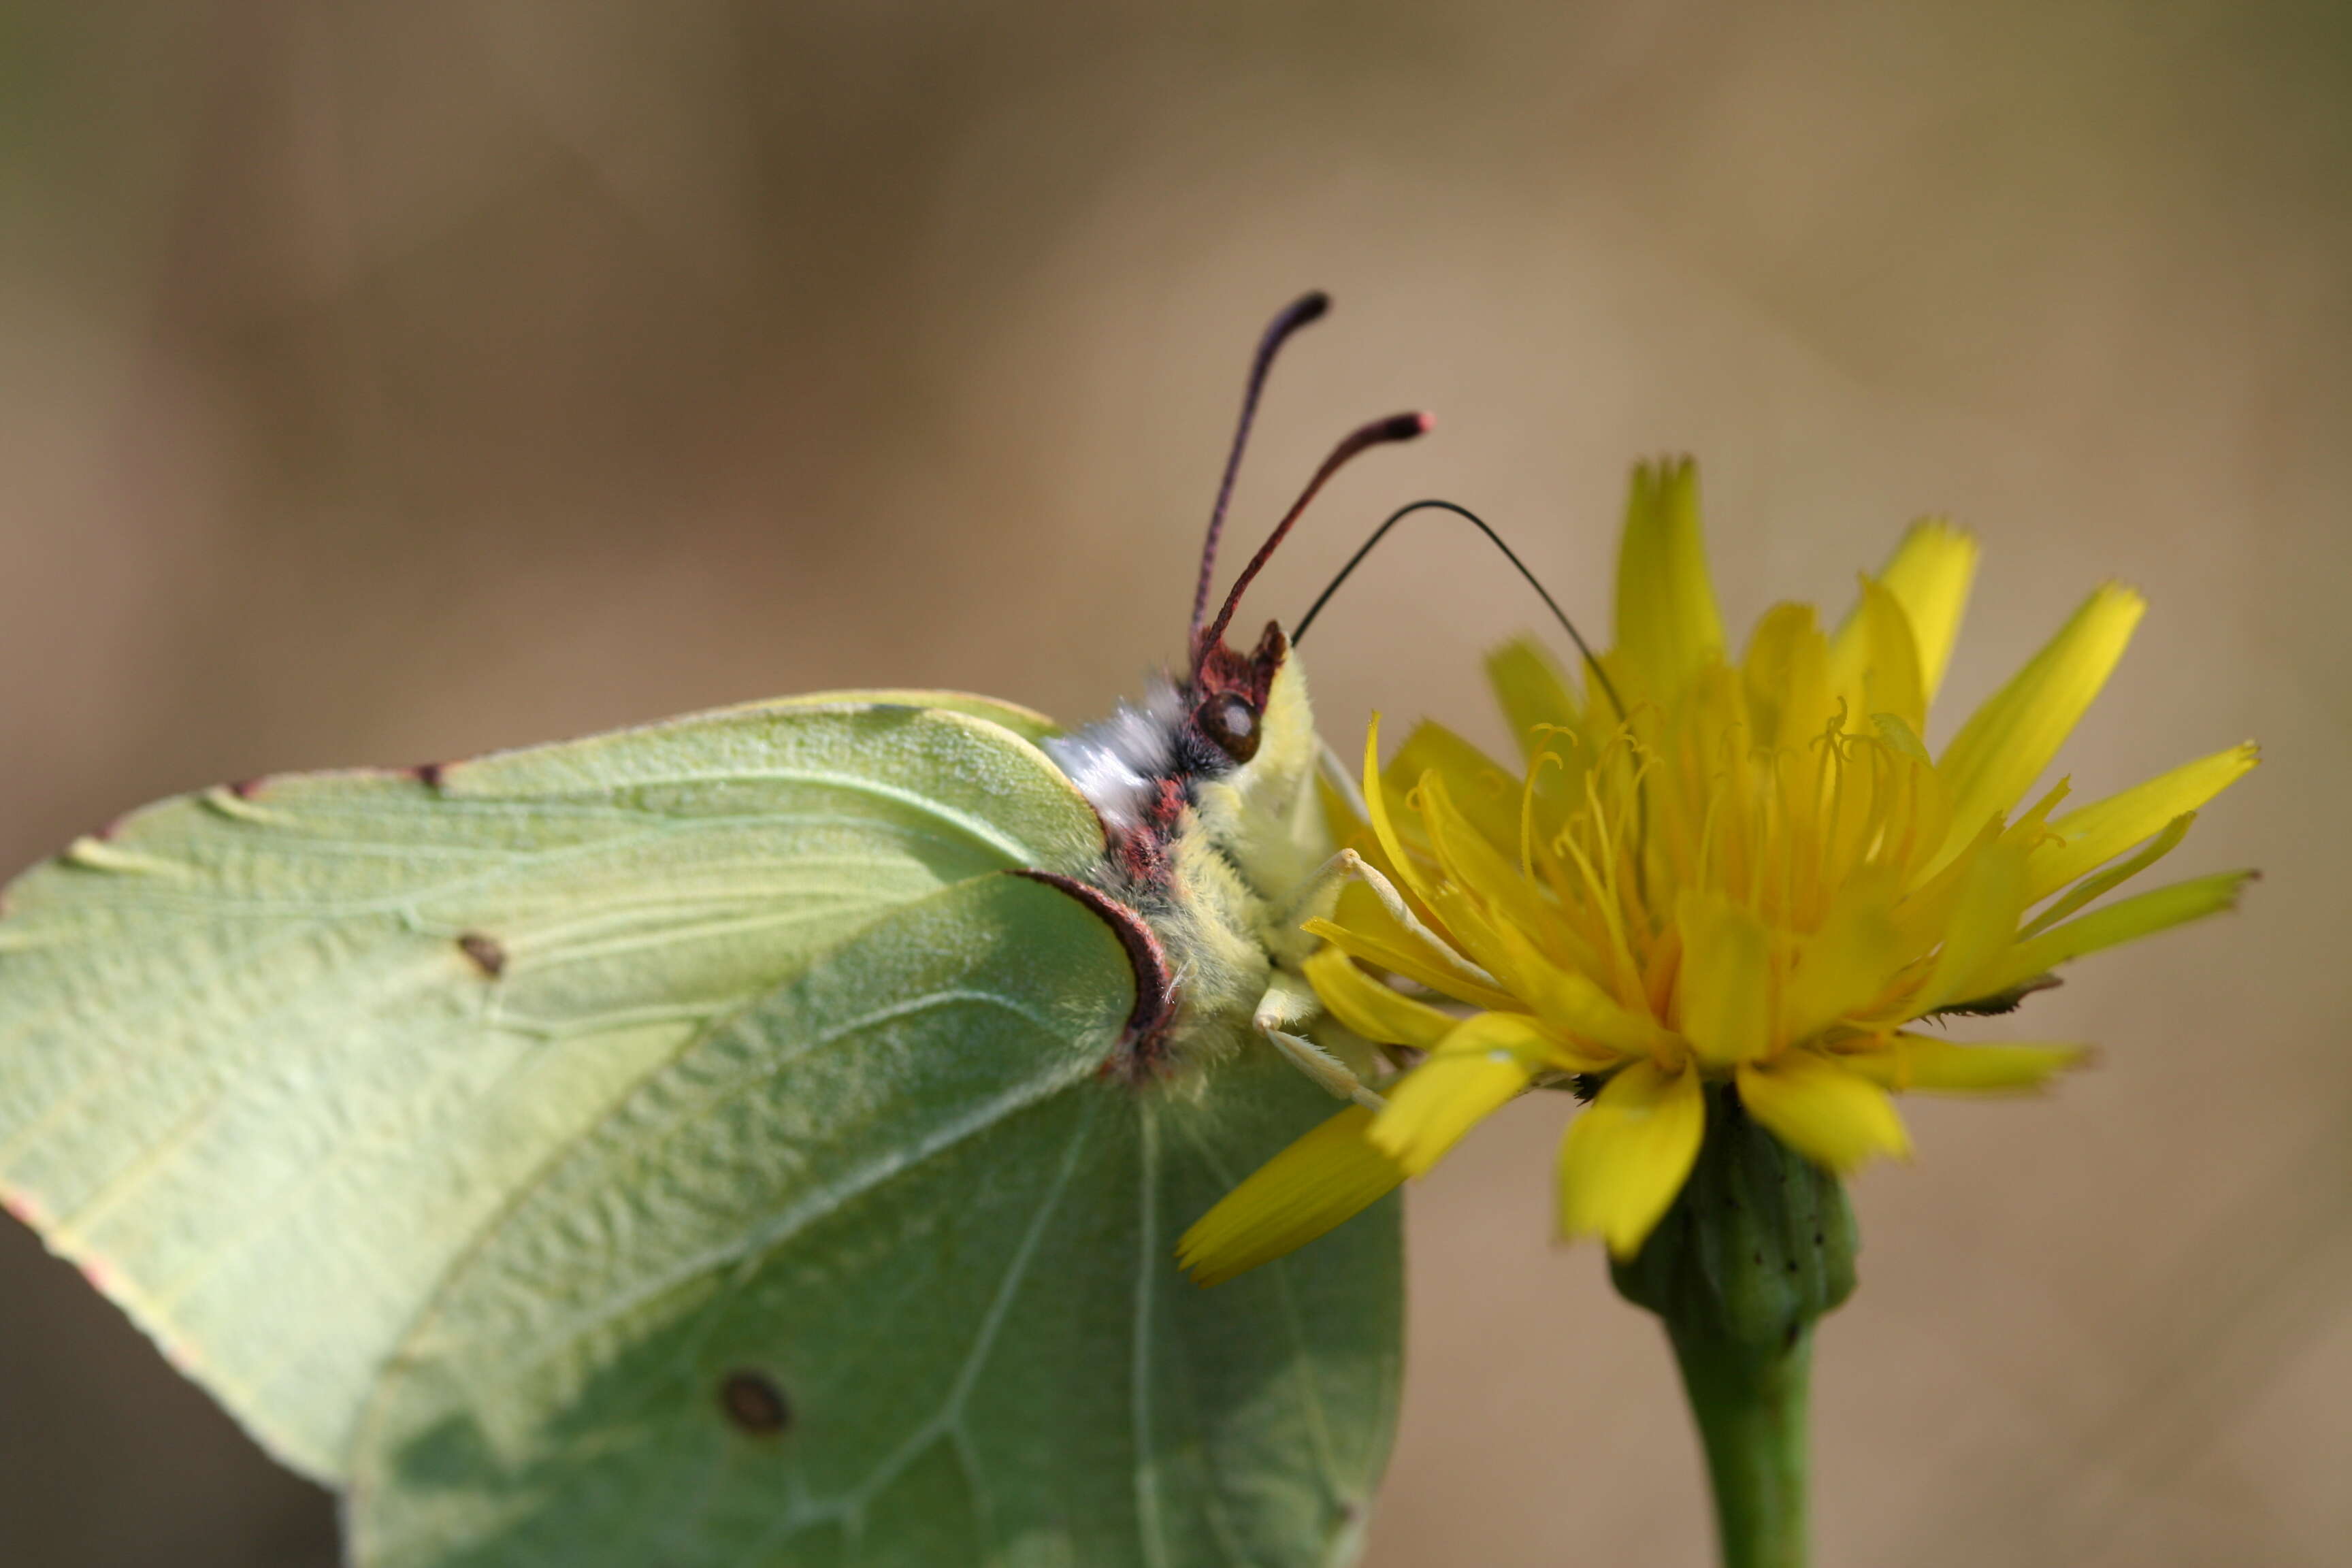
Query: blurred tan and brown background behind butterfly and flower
(394, 382)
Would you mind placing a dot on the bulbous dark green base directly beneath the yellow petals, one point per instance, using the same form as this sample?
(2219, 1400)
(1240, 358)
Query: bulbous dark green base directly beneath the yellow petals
(1758, 1245)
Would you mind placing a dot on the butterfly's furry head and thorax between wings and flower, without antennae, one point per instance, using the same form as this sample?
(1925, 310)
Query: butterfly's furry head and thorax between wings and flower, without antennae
(1212, 829)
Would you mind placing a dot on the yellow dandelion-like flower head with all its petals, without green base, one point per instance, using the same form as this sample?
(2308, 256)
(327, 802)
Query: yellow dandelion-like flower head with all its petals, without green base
(1744, 873)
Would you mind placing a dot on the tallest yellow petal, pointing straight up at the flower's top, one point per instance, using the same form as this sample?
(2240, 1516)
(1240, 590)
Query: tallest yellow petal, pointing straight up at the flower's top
(1669, 626)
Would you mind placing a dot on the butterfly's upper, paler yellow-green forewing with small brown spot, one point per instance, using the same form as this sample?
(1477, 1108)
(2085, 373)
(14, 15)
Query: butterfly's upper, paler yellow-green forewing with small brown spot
(274, 1059)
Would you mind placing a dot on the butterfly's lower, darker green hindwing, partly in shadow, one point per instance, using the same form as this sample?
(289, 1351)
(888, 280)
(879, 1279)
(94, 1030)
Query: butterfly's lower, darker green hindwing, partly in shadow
(902, 1200)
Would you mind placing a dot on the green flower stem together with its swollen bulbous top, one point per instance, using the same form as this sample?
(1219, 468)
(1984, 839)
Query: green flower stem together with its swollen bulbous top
(1751, 1257)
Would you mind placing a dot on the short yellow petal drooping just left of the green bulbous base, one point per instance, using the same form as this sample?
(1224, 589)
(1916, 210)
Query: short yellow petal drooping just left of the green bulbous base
(1629, 1153)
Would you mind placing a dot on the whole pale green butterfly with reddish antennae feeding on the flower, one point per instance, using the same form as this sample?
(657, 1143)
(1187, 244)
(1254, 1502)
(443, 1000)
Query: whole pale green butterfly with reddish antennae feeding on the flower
(749, 1139)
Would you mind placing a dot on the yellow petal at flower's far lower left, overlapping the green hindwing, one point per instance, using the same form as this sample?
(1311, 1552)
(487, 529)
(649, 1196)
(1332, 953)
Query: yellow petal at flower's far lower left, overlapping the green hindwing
(1328, 1177)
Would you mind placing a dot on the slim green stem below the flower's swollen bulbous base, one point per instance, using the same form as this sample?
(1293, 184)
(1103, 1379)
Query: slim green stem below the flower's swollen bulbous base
(1749, 1402)
